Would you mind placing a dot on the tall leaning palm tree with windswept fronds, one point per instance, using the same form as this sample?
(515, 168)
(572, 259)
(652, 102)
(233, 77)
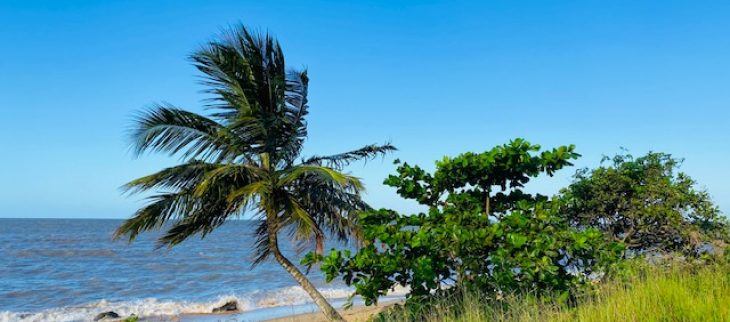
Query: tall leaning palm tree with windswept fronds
(242, 159)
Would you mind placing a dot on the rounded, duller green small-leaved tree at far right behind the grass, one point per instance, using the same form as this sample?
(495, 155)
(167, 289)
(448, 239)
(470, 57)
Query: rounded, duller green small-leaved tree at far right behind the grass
(645, 203)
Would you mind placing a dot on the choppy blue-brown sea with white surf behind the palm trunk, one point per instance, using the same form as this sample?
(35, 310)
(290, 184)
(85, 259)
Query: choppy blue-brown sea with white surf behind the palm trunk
(70, 270)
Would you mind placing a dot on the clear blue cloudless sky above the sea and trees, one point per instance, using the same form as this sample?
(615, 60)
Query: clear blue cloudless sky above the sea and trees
(434, 77)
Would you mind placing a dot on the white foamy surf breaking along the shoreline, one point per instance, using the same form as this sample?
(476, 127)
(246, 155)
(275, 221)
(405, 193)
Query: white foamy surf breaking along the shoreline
(152, 309)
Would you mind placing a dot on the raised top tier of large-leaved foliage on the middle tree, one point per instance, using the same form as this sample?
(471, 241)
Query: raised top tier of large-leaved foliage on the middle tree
(468, 182)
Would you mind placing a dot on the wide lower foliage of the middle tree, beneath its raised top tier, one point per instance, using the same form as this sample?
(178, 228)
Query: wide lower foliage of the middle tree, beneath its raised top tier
(530, 250)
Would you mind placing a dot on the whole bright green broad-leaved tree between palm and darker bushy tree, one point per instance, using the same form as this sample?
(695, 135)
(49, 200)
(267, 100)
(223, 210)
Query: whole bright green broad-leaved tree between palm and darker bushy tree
(529, 247)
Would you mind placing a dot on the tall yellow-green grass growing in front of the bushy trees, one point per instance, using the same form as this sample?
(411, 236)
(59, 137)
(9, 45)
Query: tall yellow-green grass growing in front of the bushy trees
(676, 292)
